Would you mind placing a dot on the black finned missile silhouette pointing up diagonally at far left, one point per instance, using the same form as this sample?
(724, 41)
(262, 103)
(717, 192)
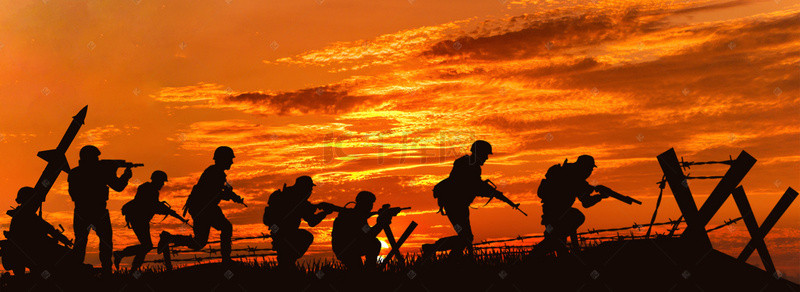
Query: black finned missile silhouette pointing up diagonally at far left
(56, 160)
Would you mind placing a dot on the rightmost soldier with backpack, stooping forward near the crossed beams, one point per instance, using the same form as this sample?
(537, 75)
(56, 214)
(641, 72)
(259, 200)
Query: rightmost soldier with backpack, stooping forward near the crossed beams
(558, 190)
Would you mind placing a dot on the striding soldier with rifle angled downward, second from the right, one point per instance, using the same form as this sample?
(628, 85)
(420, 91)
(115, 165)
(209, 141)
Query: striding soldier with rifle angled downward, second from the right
(457, 192)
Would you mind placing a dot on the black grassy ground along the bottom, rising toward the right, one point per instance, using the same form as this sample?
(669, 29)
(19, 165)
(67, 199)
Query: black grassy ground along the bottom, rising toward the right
(637, 265)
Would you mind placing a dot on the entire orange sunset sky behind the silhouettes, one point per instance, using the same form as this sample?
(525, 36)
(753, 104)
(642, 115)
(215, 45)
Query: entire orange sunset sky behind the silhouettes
(384, 95)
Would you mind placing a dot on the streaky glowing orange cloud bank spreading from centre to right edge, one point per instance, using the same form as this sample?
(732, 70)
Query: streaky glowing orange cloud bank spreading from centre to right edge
(623, 84)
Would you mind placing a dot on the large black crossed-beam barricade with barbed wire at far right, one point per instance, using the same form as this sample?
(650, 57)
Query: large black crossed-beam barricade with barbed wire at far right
(696, 220)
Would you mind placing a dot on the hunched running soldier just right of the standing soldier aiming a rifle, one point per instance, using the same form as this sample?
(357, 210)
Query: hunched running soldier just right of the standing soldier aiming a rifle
(138, 214)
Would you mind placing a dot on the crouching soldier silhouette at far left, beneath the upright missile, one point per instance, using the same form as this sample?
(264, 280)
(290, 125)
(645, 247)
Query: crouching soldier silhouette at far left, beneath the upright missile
(34, 243)
